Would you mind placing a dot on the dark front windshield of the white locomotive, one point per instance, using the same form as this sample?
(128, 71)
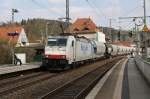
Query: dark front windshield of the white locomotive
(57, 42)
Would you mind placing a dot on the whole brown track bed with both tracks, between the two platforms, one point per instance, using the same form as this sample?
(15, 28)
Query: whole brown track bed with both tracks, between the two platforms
(36, 84)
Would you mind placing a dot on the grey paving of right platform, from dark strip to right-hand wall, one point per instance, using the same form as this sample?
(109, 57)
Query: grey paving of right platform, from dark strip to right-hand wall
(136, 86)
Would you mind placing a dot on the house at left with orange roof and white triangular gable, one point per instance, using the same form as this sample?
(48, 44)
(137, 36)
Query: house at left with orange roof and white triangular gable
(14, 34)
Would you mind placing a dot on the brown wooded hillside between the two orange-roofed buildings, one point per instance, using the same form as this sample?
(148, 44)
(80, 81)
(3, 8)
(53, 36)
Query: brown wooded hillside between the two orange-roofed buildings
(36, 28)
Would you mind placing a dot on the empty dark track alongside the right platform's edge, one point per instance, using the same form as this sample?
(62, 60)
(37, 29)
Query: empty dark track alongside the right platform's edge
(79, 87)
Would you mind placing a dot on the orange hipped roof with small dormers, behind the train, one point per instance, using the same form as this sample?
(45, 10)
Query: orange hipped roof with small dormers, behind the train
(82, 25)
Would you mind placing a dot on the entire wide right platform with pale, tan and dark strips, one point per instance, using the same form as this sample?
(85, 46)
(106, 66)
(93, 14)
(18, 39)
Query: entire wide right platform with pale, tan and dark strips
(124, 81)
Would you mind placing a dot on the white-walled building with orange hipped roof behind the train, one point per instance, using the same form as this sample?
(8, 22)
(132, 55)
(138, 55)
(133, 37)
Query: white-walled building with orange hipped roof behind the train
(87, 28)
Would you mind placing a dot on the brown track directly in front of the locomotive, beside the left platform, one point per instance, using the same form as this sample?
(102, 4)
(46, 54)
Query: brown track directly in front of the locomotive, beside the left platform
(13, 84)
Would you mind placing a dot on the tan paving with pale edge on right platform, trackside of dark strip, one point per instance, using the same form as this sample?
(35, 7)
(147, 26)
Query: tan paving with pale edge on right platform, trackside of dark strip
(108, 87)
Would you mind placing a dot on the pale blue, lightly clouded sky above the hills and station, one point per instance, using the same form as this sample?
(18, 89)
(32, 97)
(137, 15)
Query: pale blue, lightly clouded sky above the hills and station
(100, 11)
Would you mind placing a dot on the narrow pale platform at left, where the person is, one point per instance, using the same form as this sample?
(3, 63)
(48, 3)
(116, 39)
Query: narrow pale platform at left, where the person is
(6, 69)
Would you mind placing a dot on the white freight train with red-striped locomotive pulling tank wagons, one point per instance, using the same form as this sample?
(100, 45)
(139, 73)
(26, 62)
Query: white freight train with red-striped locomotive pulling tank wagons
(67, 51)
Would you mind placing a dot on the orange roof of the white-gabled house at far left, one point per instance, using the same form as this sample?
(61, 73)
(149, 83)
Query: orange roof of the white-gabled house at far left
(10, 29)
